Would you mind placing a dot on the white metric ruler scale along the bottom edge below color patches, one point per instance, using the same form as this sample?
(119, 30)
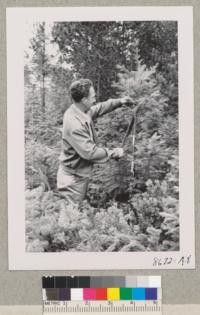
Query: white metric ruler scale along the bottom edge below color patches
(104, 307)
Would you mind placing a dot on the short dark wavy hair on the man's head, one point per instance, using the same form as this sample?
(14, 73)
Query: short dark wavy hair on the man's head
(80, 89)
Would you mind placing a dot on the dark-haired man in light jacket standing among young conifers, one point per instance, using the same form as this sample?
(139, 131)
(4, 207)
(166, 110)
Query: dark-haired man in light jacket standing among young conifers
(79, 149)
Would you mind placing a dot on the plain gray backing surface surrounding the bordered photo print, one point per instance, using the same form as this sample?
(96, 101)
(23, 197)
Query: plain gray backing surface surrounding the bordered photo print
(24, 287)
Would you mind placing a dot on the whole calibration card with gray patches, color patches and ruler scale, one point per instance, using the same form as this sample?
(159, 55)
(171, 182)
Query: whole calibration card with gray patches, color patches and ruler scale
(74, 295)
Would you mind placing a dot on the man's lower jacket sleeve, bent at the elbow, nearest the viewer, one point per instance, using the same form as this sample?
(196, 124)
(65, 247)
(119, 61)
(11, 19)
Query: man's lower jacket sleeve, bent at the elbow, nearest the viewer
(83, 144)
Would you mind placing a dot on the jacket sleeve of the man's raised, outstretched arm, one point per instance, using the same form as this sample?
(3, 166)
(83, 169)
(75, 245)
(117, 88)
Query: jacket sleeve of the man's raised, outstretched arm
(104, 107)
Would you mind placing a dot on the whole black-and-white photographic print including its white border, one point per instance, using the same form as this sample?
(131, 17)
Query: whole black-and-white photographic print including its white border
(107, 136)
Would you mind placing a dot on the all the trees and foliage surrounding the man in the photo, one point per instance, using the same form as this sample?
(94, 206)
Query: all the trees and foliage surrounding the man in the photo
(123, 211)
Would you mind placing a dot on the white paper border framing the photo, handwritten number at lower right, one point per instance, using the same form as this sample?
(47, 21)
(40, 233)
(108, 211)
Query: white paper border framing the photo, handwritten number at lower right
(19, 259)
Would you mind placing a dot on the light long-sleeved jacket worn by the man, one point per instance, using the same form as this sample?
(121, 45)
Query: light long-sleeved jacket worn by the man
(79, 138)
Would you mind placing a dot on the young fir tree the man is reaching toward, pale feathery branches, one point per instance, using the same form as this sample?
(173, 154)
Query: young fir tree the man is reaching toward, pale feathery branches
(116, 179)
